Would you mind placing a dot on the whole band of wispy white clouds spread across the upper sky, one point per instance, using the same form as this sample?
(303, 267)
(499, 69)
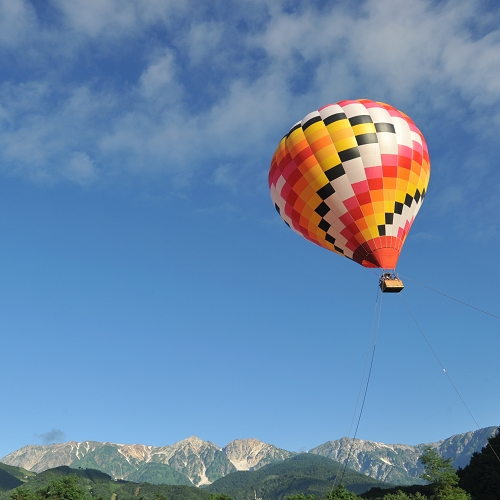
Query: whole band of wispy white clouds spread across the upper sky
(146, 90)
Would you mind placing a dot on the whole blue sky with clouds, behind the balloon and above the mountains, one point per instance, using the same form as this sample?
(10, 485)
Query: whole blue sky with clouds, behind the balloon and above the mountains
(148, 289)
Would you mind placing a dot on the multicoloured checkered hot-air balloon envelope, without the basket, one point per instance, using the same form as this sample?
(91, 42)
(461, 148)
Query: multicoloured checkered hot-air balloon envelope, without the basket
(351, 177)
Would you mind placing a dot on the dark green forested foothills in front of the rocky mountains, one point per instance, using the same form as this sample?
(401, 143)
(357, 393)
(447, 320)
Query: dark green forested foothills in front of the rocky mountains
(302, 473)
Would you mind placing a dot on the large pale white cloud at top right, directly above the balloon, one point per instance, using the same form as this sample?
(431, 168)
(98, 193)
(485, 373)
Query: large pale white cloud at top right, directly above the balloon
(398, 47)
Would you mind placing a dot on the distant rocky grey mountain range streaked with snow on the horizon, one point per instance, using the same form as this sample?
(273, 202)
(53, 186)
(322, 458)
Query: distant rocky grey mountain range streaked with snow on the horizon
(200, 463)
